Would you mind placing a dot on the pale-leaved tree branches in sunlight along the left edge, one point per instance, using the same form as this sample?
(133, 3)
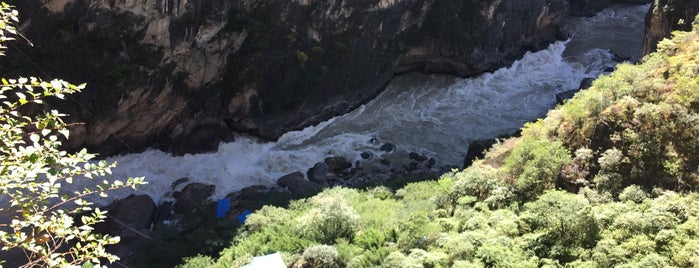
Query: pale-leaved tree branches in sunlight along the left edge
(51, 225)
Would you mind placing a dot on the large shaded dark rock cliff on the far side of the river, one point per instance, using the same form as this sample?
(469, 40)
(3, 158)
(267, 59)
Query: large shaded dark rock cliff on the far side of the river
(183, 74)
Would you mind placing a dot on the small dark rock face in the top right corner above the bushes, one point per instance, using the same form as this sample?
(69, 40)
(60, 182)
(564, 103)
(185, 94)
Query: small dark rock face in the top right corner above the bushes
(666, 16)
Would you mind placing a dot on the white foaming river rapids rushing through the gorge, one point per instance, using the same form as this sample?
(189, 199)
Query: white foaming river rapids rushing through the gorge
(437, 116)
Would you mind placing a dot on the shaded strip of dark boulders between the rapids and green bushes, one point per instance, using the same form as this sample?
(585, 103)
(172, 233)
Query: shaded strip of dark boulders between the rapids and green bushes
(137, 217)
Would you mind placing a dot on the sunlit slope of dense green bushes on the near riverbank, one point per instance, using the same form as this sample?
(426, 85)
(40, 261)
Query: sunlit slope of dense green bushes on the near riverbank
(625, 152)
